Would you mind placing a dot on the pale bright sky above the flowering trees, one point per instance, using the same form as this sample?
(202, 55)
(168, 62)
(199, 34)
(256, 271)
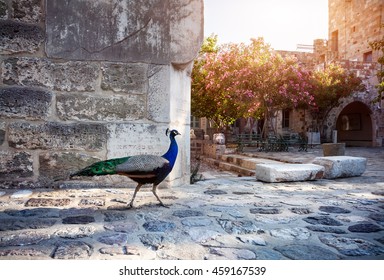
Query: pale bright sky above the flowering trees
(282, 23)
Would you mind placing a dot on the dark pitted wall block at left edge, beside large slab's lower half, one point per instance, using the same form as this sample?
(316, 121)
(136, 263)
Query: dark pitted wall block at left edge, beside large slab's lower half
(19, 37)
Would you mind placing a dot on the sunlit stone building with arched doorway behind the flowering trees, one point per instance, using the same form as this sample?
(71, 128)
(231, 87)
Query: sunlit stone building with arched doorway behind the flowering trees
(357, 120)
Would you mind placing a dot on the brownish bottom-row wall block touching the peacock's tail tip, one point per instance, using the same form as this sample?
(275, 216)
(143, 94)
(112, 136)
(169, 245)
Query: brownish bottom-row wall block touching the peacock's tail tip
(60, 164)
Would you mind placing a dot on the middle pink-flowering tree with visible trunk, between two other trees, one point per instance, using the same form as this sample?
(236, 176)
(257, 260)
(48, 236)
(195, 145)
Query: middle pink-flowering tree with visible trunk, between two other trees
(269, 82)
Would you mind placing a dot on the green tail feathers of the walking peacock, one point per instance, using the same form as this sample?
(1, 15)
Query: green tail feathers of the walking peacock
(106, 167)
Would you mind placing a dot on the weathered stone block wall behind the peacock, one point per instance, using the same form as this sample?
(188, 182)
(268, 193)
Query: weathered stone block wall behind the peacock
(82, 81)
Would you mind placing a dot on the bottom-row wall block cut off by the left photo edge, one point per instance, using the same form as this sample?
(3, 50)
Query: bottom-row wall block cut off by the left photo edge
(15, 165)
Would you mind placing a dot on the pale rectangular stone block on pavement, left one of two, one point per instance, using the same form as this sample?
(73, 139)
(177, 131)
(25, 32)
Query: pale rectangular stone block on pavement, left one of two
(285, 172)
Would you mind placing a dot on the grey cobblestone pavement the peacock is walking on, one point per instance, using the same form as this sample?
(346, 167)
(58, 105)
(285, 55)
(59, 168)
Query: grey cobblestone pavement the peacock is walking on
(221, 217)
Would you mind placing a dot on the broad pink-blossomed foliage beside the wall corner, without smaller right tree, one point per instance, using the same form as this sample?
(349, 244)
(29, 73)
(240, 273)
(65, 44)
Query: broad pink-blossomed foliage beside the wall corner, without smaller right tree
(239, 80)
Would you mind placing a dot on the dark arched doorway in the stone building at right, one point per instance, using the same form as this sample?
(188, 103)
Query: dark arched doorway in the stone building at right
(354, 125)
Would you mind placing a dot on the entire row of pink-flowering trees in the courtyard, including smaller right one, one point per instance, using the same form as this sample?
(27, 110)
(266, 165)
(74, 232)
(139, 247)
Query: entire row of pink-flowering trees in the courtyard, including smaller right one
(240, 80)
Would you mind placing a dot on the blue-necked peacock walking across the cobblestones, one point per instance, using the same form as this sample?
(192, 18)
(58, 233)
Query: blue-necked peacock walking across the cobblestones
(143, 169)
